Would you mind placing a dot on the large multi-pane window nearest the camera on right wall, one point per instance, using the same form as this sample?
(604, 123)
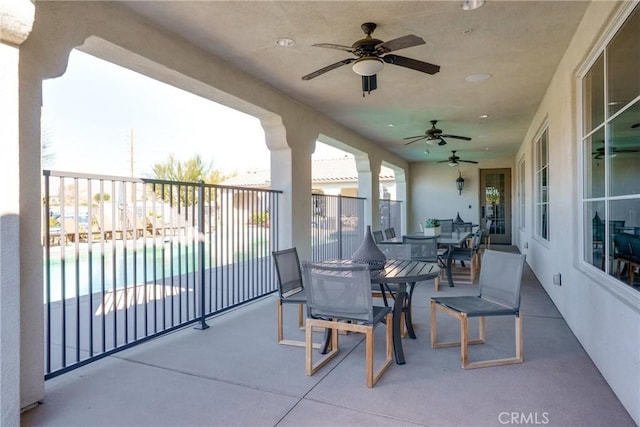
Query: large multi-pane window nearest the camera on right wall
(611, 151)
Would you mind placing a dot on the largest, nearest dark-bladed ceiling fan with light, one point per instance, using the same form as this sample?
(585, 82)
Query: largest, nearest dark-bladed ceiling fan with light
(371, 54)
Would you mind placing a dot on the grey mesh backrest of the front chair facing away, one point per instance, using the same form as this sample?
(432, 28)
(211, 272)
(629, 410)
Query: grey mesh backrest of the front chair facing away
(339, 292)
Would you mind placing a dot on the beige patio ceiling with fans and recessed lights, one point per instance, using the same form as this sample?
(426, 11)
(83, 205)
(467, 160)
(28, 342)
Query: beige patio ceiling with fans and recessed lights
(519, 43)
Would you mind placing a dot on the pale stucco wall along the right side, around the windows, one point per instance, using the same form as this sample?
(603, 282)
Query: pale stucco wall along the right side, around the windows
(602, 312)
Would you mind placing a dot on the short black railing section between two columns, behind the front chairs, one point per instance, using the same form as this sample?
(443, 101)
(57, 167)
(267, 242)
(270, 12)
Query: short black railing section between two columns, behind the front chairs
(337, 230)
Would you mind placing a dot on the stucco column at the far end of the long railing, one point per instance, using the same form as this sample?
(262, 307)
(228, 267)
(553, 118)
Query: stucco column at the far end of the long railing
(291, 148)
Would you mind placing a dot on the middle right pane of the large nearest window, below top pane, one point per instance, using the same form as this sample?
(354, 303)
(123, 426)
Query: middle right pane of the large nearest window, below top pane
(624, 153)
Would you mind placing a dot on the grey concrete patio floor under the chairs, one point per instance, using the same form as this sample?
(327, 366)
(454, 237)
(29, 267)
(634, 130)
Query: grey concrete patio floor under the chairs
(235, 374)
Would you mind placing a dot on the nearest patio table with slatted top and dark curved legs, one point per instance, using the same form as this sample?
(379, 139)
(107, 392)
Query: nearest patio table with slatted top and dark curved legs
(405, 274)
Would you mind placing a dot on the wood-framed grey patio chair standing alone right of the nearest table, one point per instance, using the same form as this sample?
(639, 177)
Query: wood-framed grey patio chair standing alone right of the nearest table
(500, 282)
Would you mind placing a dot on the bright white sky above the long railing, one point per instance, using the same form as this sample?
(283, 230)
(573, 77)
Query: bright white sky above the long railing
(90, 112)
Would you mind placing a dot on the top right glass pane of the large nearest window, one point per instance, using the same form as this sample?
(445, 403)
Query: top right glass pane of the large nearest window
(623, 66)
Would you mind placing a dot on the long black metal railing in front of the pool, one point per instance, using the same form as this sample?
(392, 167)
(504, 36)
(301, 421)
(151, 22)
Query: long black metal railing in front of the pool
(128, 259)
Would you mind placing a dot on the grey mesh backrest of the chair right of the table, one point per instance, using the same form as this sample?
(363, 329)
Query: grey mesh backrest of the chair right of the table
(501, 277)
